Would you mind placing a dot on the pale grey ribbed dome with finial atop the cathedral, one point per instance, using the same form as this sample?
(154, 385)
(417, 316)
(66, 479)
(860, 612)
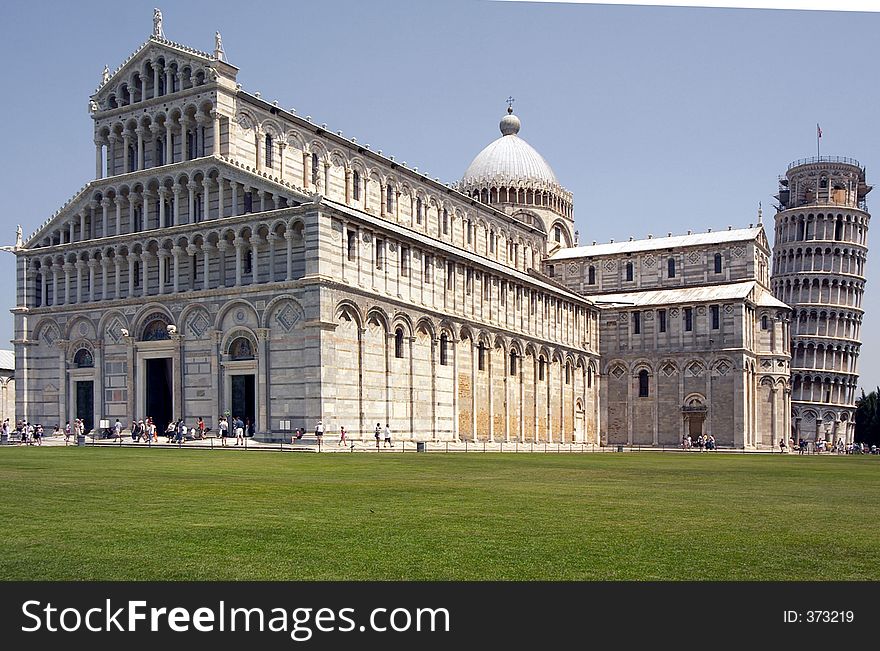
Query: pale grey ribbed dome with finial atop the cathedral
(509, 161)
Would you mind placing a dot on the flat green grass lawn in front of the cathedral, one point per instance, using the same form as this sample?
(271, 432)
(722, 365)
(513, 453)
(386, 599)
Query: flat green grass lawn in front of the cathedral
(127, 514)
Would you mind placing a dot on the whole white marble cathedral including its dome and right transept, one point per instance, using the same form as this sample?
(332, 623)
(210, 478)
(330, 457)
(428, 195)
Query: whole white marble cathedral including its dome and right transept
(233, 258)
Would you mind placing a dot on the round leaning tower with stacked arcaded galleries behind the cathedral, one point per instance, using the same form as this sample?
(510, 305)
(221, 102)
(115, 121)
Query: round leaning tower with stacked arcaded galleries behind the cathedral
(819, 260)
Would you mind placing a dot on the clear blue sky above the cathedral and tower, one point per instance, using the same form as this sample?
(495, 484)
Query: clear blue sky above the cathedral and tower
(657, 119)
